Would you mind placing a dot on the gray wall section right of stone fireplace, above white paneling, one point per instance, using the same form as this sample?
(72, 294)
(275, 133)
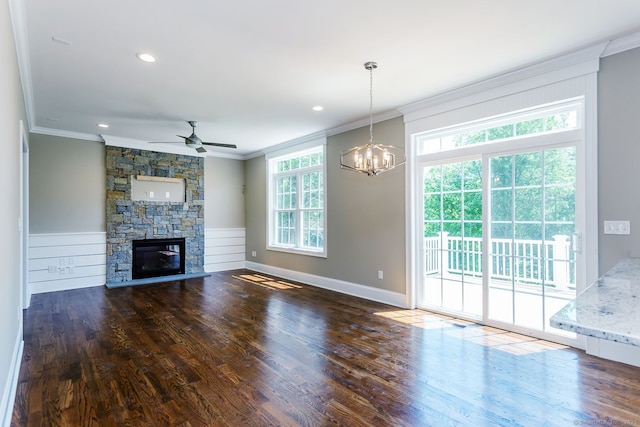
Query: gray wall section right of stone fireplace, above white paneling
(223, 193)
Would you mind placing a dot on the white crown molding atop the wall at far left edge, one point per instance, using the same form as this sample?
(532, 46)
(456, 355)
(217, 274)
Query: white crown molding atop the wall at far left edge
(21, 40)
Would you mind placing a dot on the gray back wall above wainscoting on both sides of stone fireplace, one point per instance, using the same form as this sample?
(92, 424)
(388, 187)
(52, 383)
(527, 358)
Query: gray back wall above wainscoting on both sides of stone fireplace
(68, 187)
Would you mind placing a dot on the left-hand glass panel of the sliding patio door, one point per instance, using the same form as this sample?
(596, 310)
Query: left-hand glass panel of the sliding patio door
(453, 237)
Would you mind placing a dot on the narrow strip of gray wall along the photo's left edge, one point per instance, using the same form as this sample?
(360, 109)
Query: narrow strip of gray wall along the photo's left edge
(11, 112)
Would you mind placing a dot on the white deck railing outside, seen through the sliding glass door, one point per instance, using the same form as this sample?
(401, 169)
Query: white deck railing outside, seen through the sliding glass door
(549, 263)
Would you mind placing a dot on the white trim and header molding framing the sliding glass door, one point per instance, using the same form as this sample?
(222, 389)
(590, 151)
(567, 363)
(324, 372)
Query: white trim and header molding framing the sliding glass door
(564, 78)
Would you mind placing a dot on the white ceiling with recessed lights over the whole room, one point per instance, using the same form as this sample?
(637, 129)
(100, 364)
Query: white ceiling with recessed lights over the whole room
(251, 70)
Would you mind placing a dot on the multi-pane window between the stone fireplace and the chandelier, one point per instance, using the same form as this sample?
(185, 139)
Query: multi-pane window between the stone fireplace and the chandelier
(297, 201)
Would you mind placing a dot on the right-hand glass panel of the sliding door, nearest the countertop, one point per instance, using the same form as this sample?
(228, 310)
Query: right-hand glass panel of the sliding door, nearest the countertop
(532, 221)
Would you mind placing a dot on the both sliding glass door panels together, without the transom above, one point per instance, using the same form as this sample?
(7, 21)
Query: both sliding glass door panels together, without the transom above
(508, 237)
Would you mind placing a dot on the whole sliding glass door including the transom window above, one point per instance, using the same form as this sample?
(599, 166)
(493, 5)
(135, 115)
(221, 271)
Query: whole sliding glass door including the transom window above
(499, 218)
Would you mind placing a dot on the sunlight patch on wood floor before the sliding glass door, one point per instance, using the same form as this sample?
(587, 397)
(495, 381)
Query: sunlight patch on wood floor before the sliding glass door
(488, 336)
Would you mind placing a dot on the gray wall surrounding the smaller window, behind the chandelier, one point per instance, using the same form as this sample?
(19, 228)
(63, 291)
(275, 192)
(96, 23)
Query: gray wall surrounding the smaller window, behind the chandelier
(365, 217)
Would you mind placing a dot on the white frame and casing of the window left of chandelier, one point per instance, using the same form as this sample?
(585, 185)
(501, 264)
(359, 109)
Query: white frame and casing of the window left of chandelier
(272, 160)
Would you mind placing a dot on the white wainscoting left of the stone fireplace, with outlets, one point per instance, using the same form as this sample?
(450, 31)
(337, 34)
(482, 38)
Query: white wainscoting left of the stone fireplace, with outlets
(67, 261)
